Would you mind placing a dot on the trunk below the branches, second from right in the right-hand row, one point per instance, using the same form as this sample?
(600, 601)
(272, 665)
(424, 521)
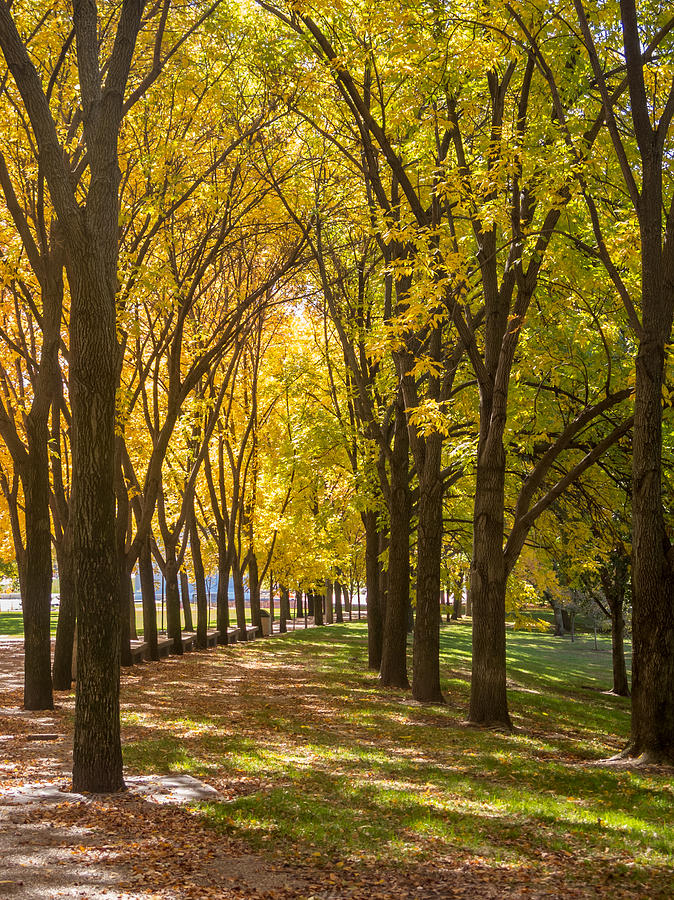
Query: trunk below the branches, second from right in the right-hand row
(488, 700)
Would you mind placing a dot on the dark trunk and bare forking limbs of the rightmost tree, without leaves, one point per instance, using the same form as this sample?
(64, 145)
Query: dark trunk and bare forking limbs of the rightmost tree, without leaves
(649, 147)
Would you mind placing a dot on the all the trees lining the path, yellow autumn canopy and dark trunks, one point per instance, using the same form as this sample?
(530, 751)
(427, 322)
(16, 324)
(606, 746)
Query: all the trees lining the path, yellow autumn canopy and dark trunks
(280, 278)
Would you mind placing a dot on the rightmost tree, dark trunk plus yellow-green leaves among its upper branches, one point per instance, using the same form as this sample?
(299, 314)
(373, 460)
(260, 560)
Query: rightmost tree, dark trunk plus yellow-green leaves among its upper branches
(635, 162)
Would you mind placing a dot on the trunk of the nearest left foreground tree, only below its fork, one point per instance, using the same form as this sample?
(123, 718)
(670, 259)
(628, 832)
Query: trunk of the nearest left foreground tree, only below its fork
(97, 752)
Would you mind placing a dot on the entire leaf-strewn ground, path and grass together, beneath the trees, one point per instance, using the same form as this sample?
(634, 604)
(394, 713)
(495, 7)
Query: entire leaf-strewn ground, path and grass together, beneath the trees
(330, 788)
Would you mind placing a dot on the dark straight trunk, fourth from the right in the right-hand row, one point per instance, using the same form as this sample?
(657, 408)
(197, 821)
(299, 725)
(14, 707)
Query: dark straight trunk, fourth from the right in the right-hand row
(393, 671)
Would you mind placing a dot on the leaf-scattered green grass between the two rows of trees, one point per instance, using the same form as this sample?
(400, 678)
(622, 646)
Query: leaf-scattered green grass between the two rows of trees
(315, 760)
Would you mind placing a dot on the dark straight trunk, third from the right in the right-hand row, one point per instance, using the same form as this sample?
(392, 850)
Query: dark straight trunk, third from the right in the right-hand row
(426, 654)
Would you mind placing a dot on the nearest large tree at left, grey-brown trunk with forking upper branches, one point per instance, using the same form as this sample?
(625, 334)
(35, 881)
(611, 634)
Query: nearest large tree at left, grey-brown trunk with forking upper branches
(88, 219)
